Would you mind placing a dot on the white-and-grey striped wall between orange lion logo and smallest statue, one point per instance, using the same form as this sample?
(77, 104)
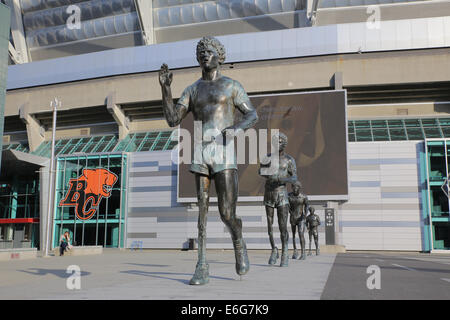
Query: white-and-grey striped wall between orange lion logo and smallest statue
(155, 218)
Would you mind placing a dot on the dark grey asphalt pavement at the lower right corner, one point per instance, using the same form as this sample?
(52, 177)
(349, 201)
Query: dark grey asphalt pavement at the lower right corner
(403, 276)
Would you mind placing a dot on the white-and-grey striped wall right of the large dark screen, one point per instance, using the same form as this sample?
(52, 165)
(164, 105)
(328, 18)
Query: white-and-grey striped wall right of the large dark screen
(384, 210)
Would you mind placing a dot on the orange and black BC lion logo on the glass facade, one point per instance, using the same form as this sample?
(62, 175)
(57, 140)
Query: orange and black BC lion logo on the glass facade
(86, 191)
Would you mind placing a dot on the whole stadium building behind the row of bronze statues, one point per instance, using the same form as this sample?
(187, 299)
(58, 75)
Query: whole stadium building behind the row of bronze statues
(389, 59)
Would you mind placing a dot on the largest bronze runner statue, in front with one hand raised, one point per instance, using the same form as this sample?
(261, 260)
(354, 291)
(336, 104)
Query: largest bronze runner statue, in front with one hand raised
(213, 100)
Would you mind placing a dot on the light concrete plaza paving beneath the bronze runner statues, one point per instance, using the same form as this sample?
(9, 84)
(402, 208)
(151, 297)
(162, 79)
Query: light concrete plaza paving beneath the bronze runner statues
(164, 274)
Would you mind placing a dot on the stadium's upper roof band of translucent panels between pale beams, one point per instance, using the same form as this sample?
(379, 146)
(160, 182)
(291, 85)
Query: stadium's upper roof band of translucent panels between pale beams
(46, 29)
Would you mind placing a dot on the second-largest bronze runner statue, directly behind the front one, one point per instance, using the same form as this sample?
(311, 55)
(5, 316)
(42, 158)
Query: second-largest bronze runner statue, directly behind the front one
(276, 197)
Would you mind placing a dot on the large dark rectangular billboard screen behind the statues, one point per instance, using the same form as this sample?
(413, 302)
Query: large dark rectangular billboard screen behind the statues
(316, 126)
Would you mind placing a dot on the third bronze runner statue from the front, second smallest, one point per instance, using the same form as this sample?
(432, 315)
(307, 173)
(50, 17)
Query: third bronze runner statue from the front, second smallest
(298, 209)
